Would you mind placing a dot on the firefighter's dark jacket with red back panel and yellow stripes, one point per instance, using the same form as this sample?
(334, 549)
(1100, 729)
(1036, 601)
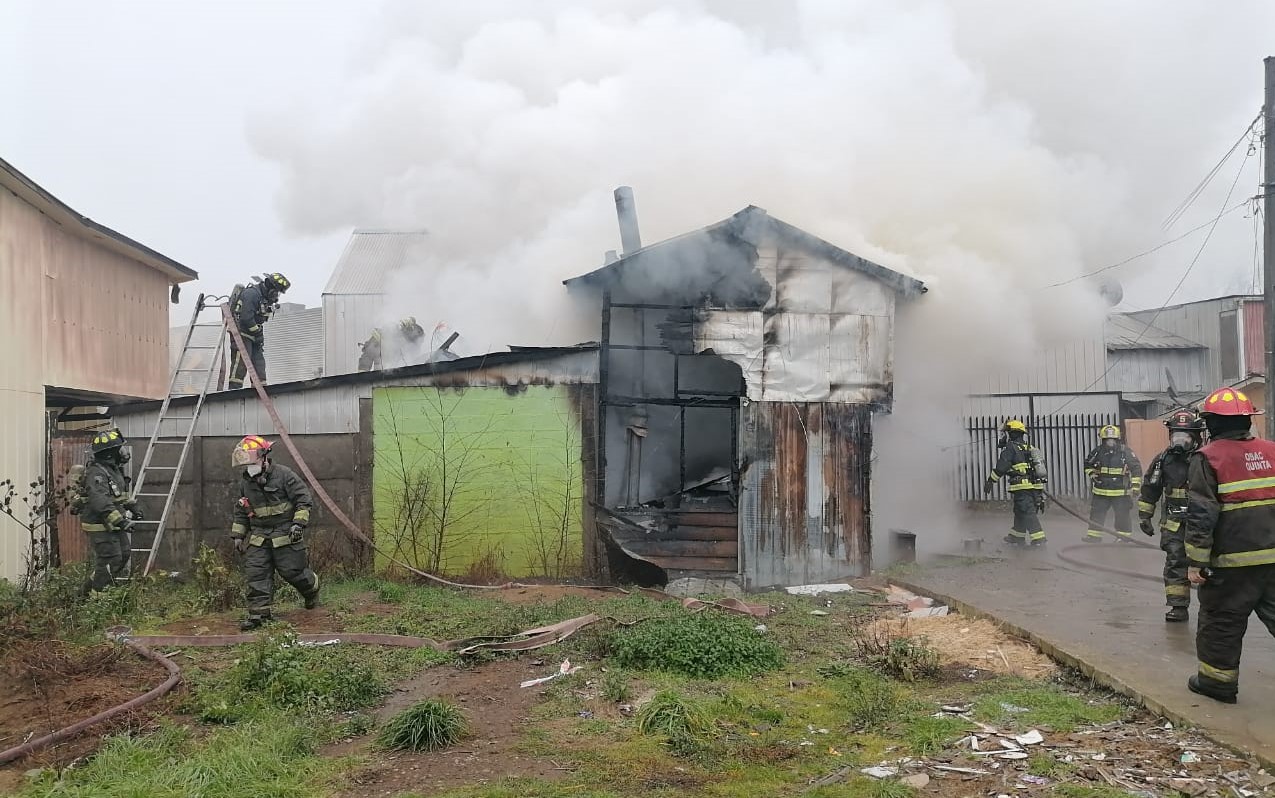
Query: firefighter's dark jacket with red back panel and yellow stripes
(1231, 503)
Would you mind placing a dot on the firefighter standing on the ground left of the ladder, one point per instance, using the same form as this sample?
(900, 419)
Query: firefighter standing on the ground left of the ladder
(109, 511)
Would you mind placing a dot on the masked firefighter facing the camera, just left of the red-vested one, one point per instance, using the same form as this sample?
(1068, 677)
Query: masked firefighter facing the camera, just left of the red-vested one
(1167, 479)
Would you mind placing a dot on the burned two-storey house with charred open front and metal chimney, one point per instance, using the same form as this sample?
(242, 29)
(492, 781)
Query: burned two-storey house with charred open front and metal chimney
(740, 369)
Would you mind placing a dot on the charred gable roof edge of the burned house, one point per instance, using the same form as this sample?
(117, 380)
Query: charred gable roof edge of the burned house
(750, 225)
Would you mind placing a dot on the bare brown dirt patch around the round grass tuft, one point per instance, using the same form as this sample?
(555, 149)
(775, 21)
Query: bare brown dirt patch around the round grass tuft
(498, 709)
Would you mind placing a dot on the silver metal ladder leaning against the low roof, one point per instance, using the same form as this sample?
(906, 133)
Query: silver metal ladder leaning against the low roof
(163, 481)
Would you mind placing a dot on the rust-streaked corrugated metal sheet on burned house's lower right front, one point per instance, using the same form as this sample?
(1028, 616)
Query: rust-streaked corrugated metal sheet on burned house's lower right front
(805, 497)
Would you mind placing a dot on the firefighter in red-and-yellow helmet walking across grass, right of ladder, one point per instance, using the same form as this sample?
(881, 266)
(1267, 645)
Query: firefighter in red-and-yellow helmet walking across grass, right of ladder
(271, 517)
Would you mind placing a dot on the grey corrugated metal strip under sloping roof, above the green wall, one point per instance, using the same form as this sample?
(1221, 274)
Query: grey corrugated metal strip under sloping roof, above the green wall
(335, 409)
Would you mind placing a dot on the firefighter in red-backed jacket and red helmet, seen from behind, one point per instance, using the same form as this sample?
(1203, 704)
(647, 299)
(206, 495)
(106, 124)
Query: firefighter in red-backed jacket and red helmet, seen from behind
(1230, 540)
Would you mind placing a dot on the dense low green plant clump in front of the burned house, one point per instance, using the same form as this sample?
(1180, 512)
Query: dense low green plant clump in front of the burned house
(704, 647)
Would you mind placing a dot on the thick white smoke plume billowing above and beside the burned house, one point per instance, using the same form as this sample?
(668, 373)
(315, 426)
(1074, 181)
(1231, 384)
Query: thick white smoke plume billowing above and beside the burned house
(987, 149)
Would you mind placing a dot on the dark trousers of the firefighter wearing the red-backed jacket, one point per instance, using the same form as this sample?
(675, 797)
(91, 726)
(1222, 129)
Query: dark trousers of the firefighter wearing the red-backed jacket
(1227, 598)
